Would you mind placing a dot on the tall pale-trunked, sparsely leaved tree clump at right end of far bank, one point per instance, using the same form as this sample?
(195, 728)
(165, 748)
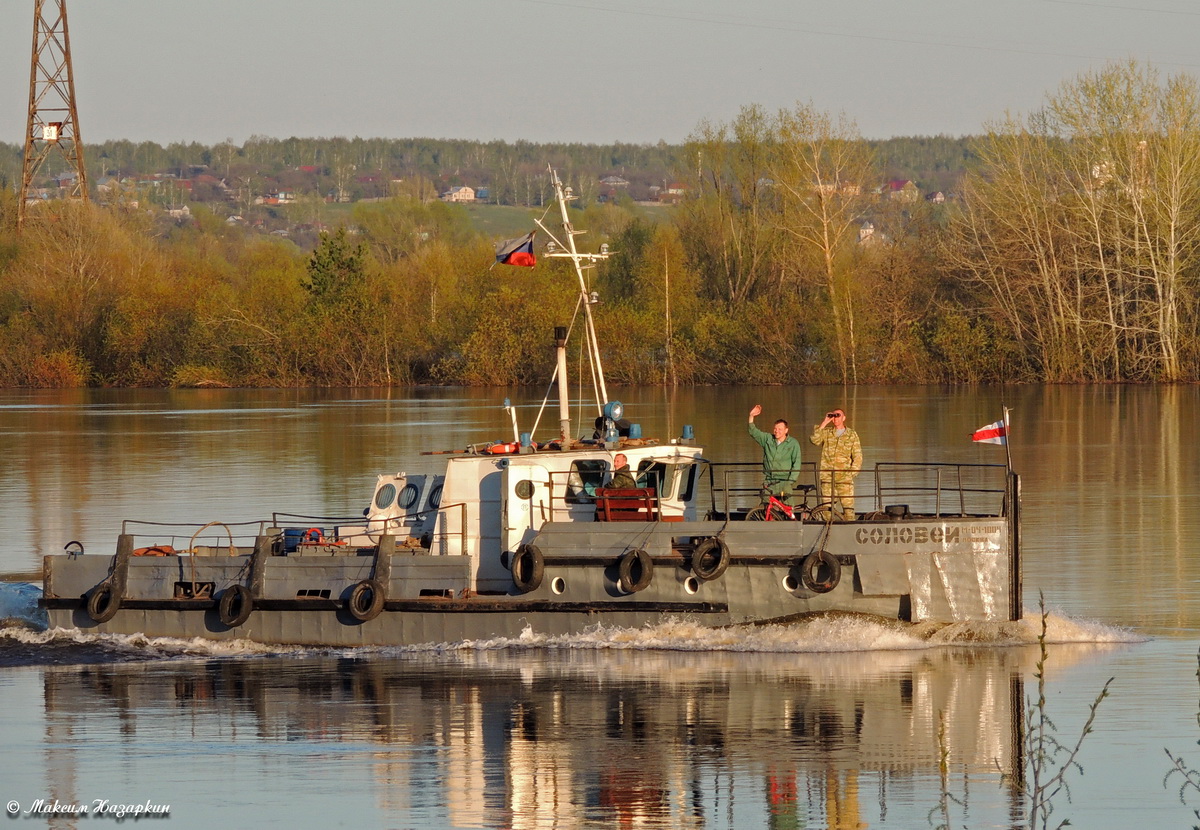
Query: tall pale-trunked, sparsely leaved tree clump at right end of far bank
(1083, 226)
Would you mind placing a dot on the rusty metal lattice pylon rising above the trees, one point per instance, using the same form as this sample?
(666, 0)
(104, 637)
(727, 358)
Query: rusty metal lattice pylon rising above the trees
(53, 124)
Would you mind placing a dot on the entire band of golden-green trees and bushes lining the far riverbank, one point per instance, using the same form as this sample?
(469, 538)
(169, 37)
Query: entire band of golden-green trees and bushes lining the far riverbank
(1073, 255)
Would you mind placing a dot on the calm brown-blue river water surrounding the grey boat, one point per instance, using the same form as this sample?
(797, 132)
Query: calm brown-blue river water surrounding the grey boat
(833, 724)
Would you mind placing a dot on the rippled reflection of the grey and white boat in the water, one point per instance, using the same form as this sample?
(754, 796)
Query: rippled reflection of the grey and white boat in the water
(569, 738)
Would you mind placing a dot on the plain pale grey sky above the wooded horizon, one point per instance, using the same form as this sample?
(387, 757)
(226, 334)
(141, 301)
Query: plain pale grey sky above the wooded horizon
(591, 71)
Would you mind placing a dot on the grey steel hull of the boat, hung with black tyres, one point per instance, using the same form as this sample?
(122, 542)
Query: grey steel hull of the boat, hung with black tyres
(938, 570)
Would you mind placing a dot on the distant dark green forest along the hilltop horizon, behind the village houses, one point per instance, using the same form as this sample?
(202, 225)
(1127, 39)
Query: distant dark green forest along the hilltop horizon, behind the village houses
(513, 173)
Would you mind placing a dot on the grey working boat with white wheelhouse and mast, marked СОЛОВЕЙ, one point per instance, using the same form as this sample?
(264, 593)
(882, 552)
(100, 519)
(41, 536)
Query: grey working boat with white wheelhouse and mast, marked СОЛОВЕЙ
(521, 536)
